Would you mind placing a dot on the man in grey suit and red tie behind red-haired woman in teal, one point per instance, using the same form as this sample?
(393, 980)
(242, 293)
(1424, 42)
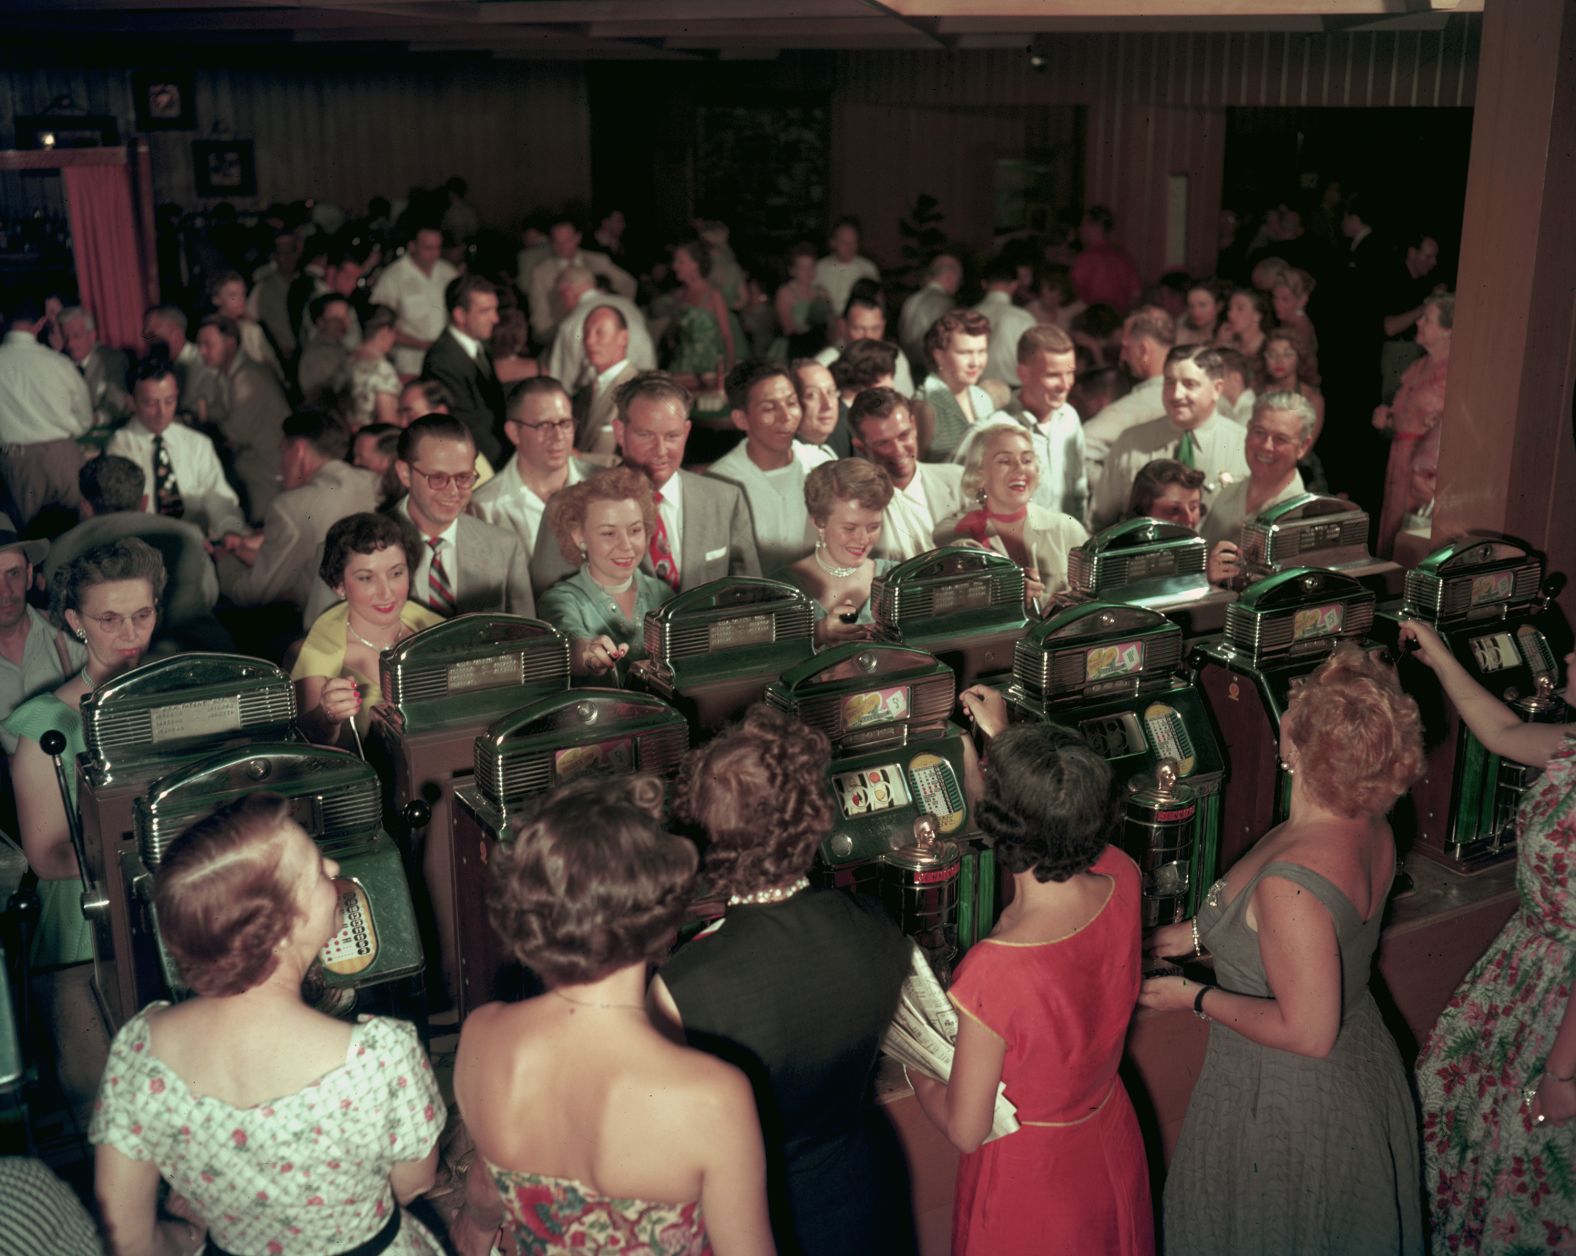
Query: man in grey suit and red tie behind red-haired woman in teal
(704, 522)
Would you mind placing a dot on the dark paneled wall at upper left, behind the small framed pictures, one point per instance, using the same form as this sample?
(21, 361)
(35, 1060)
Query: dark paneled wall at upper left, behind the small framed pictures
(518, 133)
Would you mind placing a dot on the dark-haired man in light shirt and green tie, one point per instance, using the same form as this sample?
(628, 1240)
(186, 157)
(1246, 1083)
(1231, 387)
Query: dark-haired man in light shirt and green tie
(1192, 431)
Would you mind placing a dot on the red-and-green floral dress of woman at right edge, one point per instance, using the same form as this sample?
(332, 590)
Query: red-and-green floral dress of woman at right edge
(1495, 1181)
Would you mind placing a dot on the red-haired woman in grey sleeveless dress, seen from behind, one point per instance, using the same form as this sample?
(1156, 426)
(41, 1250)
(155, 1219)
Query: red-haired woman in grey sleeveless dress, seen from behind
(1301, 1135)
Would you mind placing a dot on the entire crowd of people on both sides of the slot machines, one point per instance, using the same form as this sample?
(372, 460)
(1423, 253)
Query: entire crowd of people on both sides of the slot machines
(371, 436)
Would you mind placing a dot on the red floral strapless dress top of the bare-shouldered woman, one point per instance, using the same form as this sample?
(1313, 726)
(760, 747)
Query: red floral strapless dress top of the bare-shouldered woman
(552, 1214)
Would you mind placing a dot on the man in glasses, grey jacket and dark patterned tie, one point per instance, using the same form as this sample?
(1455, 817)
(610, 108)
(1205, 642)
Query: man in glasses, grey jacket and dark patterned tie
(466, 565)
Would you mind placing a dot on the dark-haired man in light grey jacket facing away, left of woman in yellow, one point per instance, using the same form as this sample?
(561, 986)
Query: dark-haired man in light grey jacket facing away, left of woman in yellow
(319, 489)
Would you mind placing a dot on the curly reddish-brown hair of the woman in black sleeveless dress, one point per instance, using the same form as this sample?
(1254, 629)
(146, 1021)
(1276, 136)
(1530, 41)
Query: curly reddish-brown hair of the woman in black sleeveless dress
(759, 790)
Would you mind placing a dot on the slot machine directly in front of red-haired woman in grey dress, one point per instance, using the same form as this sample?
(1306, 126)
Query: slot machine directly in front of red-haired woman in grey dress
(1277, 634)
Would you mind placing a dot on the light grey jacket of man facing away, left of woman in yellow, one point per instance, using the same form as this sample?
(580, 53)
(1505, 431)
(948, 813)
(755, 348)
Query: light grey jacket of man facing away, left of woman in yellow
(295, 526)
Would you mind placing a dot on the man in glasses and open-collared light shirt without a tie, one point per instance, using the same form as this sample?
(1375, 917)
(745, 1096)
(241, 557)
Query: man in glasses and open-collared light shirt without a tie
(541, 428)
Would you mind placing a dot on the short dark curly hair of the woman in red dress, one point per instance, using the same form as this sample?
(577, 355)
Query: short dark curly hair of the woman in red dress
(1050, 801)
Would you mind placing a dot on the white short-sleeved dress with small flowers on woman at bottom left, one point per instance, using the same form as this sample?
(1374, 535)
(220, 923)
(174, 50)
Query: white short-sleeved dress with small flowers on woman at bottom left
(307, 1173)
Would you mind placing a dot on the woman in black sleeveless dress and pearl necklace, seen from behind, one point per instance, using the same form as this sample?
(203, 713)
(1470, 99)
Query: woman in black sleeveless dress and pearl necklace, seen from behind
(795, 987)
